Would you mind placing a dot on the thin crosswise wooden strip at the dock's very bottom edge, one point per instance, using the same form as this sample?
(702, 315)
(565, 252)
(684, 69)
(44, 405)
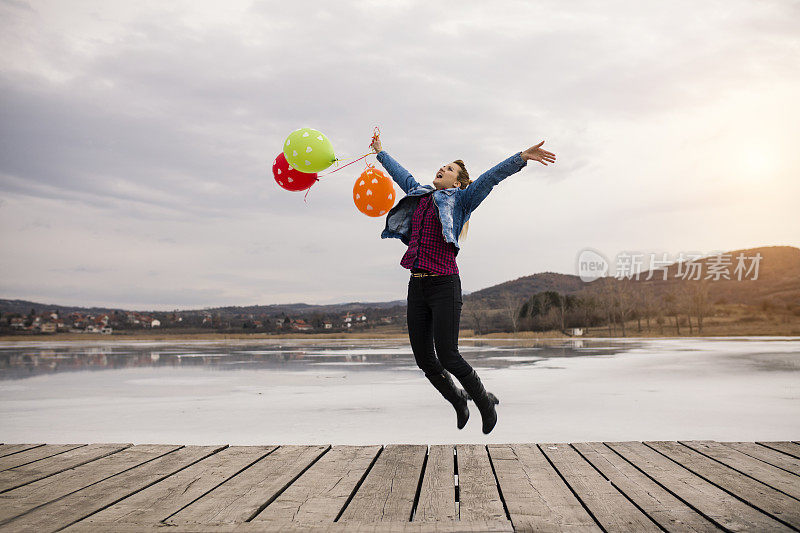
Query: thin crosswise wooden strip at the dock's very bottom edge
(335, 527)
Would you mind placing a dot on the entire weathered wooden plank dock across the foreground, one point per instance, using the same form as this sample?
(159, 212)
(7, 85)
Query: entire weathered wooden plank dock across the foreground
(588, 486)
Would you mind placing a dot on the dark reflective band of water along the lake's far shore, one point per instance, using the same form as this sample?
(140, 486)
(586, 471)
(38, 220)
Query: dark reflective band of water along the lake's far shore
(21, 360)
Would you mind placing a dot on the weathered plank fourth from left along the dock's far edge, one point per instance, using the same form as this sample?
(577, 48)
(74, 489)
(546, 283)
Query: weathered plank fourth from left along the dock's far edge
(23, 499)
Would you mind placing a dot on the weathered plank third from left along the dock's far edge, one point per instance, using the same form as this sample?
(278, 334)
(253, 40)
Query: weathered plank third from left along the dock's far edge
(28, 473)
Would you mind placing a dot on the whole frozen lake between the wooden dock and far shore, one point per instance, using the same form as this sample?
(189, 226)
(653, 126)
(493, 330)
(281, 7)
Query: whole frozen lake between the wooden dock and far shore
(371, 392)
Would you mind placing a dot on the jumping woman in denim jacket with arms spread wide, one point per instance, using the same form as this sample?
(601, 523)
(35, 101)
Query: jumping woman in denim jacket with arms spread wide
(428, 219)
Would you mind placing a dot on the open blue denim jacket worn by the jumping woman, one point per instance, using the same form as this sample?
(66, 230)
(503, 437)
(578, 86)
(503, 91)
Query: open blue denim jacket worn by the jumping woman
(454, 205)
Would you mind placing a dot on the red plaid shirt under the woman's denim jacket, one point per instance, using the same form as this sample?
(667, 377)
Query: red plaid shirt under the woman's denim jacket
(427, 248)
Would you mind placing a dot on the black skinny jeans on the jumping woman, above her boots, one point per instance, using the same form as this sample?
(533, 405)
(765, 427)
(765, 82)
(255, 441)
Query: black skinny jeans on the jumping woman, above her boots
(434, 312)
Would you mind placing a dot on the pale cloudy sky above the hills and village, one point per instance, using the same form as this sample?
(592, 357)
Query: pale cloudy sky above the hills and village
(136, 139)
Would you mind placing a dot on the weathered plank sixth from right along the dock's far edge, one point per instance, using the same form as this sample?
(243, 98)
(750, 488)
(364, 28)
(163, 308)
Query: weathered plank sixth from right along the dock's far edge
(659, 504)
